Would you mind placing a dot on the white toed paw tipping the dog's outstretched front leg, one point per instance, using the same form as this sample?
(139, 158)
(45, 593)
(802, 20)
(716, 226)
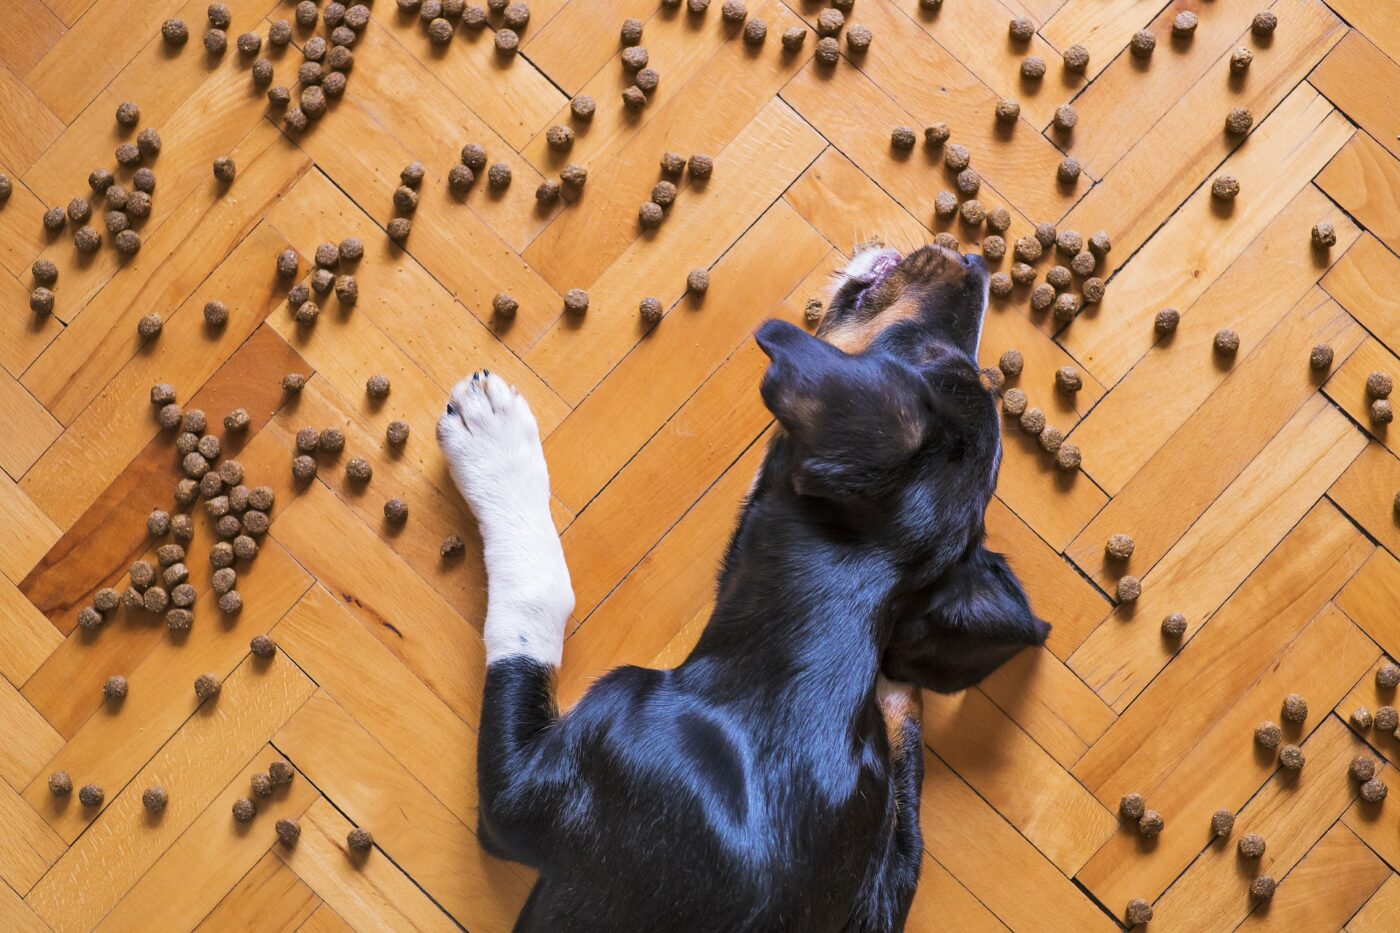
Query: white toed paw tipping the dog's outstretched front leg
(492, 448)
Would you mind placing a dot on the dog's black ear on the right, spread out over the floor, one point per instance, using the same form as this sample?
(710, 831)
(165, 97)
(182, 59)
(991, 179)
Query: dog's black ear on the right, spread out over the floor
(976, 618)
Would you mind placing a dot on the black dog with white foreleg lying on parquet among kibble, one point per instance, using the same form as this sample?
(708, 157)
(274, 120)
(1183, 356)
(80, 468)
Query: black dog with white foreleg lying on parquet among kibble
(771, 782)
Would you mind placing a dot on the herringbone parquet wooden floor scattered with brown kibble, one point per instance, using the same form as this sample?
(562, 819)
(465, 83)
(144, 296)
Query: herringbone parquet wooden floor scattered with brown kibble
(1259, 494)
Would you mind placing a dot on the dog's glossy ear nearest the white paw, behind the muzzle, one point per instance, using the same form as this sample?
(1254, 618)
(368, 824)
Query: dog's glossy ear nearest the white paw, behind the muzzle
(848, 417)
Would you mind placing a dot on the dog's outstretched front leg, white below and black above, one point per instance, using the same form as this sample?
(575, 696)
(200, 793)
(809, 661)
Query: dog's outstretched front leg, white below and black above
(493, 452)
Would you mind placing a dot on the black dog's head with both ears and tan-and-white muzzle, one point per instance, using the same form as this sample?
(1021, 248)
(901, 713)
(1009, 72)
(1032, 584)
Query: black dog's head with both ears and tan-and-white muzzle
(892, 435)
